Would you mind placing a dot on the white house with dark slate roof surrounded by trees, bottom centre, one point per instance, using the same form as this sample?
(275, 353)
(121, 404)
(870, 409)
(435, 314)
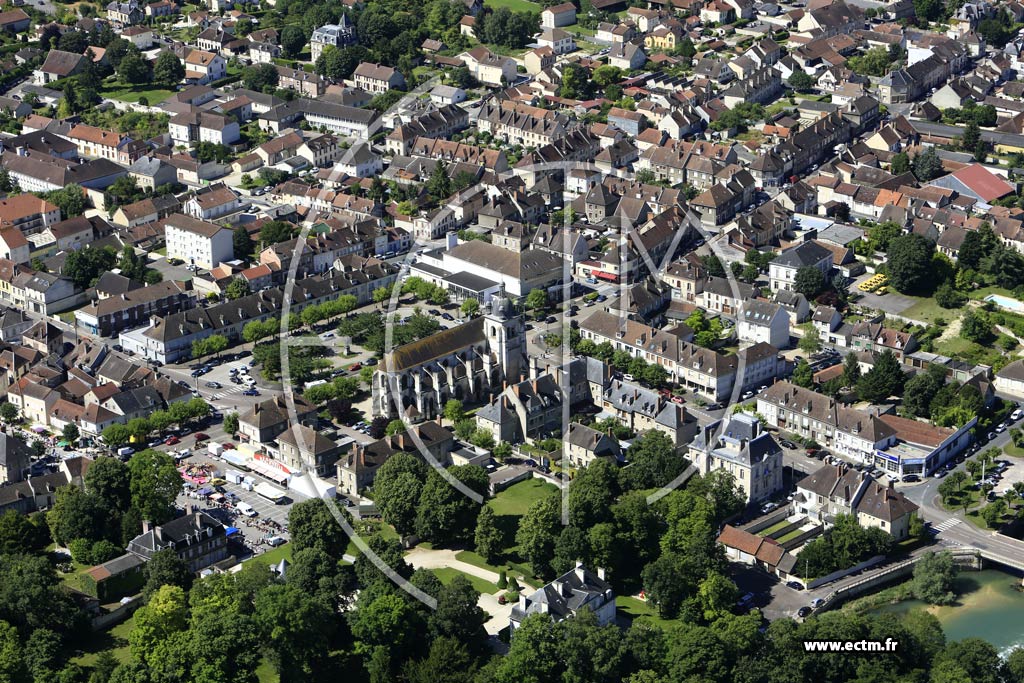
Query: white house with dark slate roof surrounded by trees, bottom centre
(567, 596)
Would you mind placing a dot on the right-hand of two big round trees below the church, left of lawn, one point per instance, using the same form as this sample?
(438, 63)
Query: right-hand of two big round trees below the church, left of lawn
(445, 515)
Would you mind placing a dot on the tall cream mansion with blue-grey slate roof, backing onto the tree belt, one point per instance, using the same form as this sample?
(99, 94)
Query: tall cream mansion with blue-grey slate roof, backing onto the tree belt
(741, 447)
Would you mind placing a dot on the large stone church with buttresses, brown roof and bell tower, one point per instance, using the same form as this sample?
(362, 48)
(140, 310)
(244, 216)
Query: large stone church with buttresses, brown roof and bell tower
(471, 363)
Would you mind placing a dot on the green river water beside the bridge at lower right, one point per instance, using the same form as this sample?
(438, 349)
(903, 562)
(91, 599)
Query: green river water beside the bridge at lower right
(991, 608)
